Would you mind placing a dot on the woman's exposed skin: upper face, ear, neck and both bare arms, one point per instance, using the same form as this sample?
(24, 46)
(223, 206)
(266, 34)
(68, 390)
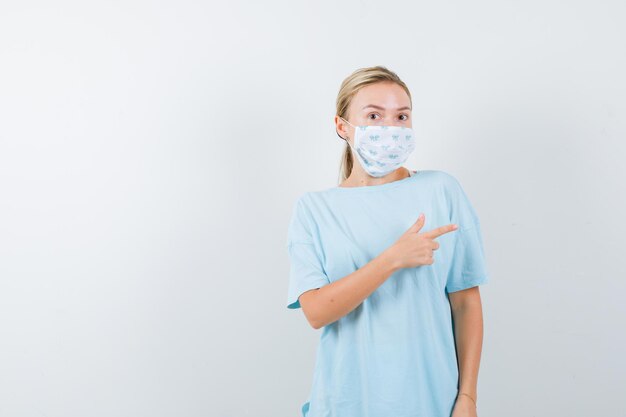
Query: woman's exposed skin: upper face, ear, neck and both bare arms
(414, 248)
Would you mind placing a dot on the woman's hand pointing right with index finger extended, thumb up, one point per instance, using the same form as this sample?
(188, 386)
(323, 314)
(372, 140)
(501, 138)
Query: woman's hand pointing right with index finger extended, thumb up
(413, 248)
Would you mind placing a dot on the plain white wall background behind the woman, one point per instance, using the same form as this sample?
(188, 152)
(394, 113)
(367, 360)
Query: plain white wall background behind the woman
(150, 154)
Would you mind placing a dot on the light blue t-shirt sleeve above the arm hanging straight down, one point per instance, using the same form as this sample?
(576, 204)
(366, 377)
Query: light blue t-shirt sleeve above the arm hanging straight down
(468, 264)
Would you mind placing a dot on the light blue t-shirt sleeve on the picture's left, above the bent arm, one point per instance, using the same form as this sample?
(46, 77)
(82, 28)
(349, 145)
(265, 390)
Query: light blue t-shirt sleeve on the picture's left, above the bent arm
(306, 270)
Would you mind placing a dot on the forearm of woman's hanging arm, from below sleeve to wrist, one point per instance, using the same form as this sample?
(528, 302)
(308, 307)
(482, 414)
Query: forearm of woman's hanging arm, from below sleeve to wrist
(468, 331)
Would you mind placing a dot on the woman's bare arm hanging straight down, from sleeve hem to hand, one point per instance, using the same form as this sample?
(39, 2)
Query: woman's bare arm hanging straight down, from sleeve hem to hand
(467, 314)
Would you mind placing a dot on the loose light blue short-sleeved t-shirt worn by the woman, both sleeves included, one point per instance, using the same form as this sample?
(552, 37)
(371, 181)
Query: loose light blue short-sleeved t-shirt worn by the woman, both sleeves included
(394, 354)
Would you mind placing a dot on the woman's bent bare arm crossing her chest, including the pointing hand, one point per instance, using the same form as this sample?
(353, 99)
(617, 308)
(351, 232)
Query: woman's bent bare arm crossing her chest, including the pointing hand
(329, 303)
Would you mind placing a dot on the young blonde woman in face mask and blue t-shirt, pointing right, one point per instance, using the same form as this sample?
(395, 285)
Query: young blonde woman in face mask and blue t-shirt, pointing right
(401, 324)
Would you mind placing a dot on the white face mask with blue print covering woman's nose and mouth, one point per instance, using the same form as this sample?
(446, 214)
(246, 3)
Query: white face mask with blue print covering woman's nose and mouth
(382, 149)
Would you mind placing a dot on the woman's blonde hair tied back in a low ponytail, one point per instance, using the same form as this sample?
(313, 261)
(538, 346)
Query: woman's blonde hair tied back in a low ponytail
(349, 87)
